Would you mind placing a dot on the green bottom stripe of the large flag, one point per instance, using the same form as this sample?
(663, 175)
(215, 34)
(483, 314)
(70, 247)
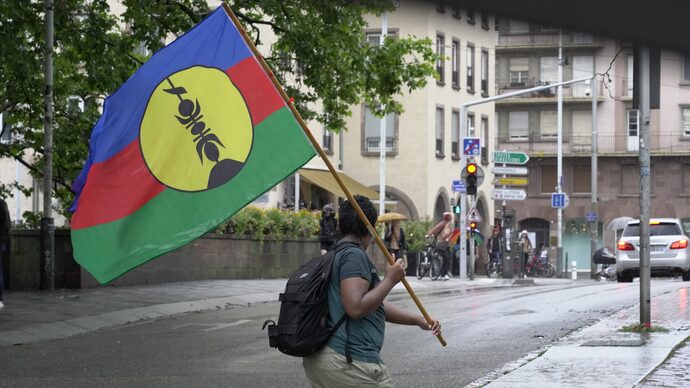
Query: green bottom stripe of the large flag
(174, 218)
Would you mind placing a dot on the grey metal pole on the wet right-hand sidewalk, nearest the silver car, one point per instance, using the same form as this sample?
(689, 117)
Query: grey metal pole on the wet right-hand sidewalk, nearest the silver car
(645, 87)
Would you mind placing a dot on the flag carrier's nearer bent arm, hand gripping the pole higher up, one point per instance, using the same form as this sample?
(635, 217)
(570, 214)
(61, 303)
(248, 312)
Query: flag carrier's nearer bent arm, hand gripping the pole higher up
(359, 301)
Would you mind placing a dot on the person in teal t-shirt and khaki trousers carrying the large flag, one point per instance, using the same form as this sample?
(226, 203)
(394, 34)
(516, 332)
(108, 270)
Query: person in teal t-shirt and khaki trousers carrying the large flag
(352, 356)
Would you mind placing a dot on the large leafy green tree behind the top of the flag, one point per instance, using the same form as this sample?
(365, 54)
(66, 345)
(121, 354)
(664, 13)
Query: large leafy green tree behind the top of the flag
(317, 51)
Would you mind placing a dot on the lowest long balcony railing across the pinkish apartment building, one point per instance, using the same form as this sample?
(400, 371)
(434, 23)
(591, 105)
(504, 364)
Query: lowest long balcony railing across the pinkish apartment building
(607, 144)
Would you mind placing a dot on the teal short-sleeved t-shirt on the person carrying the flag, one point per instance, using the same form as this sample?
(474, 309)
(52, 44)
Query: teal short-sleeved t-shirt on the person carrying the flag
(366, 334)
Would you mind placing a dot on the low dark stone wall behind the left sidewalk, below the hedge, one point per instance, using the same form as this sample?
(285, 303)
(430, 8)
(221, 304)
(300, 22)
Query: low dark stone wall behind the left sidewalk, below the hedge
(210, 257)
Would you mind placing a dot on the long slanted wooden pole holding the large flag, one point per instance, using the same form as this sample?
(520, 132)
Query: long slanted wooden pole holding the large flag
(323, 156)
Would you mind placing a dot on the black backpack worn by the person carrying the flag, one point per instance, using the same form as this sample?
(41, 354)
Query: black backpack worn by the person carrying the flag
(302, 327)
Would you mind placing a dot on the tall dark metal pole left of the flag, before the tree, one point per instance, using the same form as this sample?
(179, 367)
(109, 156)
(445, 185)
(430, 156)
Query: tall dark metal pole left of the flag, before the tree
(47, 223)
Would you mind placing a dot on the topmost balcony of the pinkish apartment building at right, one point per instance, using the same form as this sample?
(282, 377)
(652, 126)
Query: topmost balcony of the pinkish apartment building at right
(532, 38)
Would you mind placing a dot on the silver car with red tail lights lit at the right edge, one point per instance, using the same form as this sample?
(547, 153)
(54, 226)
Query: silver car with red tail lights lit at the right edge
(668, 250)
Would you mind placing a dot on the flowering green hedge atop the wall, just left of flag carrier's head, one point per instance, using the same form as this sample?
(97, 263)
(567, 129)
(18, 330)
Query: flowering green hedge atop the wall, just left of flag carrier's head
(275, 223)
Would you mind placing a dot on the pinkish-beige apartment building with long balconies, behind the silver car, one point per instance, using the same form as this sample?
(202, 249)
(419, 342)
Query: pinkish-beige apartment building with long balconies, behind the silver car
(527, 56)
